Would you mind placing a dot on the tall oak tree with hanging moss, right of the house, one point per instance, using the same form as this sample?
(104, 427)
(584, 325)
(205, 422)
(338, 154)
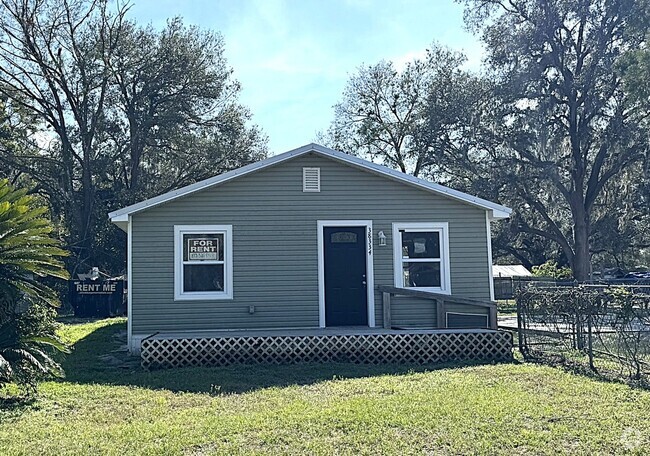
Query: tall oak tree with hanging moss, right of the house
(569, 128)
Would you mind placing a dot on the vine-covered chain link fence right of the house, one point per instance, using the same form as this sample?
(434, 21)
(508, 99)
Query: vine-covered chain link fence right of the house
(603, 328)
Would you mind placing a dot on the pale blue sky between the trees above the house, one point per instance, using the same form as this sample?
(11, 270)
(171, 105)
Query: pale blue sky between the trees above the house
(294, 57)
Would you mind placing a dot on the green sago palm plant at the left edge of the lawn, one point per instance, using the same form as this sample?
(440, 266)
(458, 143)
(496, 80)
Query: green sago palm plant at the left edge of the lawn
(27, 255)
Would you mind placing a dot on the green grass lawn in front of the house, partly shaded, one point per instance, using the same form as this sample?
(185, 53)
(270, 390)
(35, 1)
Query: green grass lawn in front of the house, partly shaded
(113, 407)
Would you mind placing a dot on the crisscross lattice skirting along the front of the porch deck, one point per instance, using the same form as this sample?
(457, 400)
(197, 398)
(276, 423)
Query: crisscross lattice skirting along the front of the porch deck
(362, 348)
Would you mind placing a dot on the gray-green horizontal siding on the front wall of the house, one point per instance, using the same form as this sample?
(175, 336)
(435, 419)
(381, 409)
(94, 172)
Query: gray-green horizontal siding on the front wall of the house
(275, 246)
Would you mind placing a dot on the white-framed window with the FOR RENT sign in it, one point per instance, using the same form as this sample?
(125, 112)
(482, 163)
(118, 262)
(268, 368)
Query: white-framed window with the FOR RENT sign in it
(202, 262)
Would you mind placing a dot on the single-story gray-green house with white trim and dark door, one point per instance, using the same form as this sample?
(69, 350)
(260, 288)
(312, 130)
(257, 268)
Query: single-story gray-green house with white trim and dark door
(309, 239)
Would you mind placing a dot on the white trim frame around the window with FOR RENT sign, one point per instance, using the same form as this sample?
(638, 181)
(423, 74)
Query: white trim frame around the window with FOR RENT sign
(179, 294)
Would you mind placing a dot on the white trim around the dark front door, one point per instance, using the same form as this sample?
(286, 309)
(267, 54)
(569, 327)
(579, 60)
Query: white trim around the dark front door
(370, 276)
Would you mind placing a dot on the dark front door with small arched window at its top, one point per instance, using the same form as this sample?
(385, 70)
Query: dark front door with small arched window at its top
(345, 276)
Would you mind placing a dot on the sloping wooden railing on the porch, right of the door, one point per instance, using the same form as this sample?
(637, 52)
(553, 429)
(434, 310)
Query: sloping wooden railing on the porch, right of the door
(441, 303)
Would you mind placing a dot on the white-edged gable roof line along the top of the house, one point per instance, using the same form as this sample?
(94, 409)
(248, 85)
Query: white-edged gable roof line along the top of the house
(120, 216)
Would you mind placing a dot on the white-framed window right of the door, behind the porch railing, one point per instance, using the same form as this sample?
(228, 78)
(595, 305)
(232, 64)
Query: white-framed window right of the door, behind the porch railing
(421, 256)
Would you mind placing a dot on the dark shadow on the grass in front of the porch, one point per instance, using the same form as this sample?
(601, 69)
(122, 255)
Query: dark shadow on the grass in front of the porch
(98, 359)
